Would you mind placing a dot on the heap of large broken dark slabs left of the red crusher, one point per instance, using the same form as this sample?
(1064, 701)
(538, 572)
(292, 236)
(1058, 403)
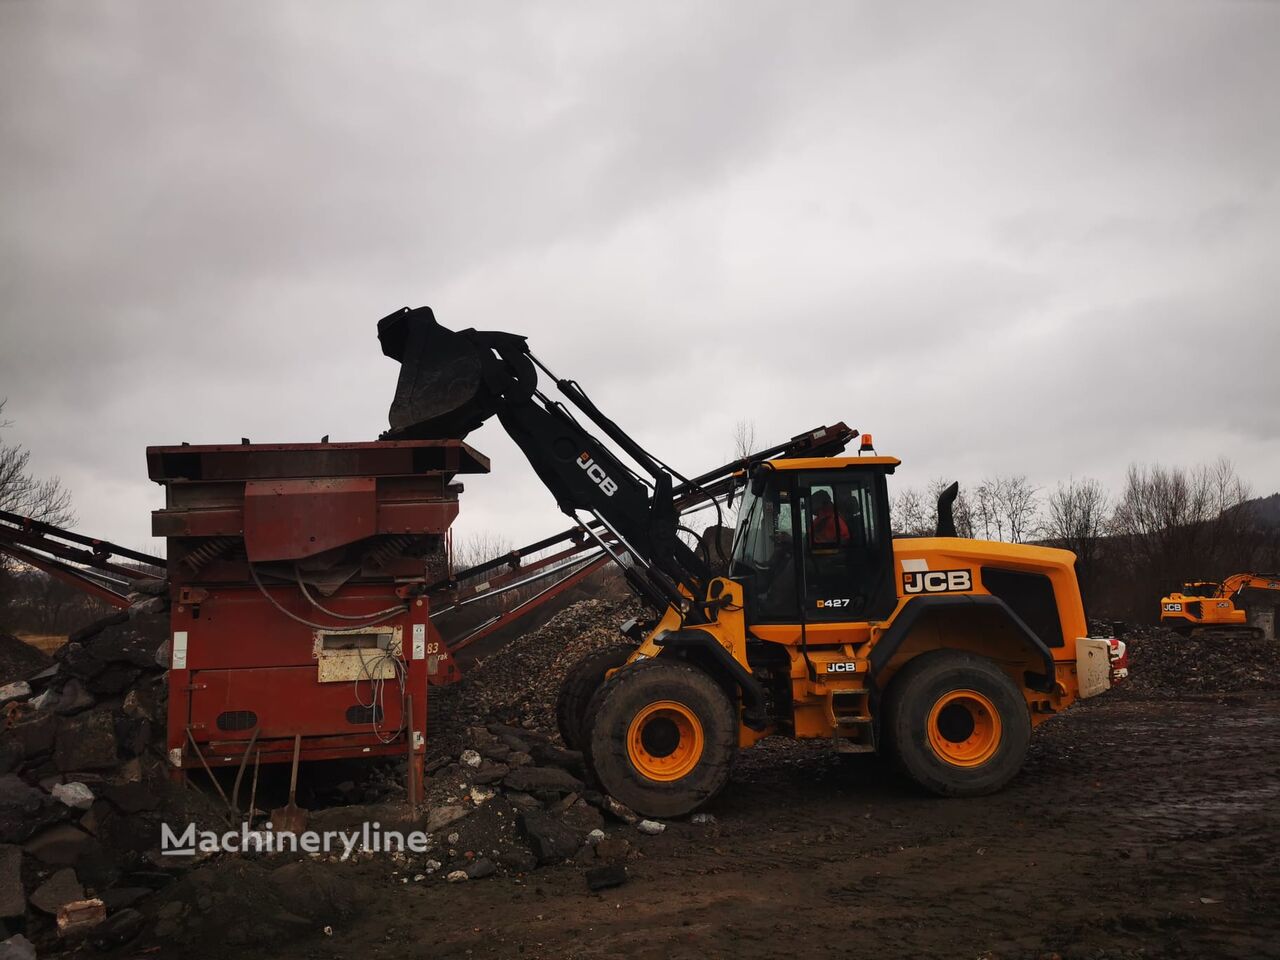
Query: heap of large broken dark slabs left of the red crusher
(83, 784)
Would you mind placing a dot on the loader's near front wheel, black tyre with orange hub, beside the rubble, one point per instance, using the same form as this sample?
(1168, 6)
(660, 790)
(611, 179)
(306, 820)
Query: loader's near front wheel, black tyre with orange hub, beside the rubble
(638, 692)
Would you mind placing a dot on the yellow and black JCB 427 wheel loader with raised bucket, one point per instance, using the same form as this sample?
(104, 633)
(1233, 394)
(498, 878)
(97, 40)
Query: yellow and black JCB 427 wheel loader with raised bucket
(941, 652)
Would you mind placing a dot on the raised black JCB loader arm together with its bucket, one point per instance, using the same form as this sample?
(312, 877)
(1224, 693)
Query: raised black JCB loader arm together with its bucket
(452, 382)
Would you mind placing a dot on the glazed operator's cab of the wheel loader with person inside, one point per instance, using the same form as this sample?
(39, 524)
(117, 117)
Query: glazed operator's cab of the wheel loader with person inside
(813, 542)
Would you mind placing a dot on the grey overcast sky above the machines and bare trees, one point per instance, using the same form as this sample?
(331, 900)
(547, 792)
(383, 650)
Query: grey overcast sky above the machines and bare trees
(1003, 239)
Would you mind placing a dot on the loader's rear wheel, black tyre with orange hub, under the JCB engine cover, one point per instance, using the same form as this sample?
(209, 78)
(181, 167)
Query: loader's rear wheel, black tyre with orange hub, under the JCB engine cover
(970, 746)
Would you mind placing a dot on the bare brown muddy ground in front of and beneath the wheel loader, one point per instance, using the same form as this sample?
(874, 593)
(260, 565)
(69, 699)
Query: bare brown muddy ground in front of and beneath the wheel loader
(1141, 828)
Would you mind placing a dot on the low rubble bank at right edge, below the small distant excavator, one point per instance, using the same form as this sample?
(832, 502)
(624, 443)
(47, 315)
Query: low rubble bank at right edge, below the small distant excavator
(1165, 662)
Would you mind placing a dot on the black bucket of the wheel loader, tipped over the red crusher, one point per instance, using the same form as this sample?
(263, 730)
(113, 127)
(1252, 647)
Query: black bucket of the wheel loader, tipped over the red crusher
(441, 392)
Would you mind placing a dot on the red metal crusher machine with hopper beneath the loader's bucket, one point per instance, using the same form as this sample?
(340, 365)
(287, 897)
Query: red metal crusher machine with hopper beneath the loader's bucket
(299, 577)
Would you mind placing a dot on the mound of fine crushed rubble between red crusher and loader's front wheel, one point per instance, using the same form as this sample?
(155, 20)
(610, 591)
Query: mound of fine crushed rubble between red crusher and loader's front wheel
(519, 683)
